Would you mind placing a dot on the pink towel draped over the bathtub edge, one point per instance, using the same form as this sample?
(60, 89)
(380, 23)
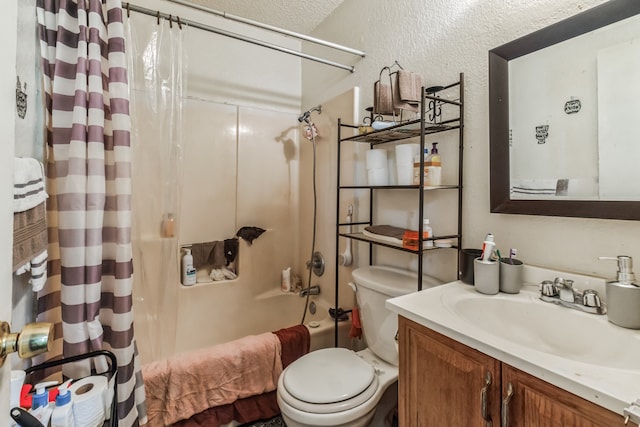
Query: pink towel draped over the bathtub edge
(187, 384)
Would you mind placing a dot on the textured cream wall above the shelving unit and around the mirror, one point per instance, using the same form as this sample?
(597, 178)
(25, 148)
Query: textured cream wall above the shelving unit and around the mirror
(440, 39)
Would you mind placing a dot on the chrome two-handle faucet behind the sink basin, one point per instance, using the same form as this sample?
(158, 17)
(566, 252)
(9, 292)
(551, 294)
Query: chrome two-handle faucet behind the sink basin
(562, 292)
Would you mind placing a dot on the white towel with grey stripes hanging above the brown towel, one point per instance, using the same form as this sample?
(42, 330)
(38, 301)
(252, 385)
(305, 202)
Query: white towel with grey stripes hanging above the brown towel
(28, 184)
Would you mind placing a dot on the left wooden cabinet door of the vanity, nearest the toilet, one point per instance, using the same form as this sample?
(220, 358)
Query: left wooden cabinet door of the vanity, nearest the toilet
(441, 381)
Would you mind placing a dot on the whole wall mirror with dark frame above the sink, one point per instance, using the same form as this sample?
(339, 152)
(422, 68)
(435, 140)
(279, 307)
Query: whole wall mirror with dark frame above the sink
(565, 117)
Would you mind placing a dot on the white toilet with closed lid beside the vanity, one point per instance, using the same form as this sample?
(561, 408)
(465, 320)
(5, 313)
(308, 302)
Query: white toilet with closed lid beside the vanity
(338, 387)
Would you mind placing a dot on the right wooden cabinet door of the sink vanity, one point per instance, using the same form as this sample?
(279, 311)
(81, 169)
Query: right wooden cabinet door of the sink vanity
(536, 403)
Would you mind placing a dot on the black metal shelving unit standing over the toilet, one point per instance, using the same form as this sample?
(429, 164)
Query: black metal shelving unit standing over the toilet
(420, 128)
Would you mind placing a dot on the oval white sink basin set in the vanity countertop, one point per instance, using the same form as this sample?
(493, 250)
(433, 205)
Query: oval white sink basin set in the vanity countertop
(544, 327)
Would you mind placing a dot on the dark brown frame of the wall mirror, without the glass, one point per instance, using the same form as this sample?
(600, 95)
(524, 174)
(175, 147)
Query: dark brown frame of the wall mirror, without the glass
(500, 200)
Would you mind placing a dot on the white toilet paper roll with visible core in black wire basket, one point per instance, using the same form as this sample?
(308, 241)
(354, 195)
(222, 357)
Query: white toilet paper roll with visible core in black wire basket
(89, 397)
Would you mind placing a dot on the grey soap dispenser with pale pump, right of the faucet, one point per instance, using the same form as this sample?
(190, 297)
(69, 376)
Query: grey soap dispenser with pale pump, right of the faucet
(623, 295)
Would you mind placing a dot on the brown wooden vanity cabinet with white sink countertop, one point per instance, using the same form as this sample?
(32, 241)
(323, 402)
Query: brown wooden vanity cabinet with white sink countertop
(512, 359)
